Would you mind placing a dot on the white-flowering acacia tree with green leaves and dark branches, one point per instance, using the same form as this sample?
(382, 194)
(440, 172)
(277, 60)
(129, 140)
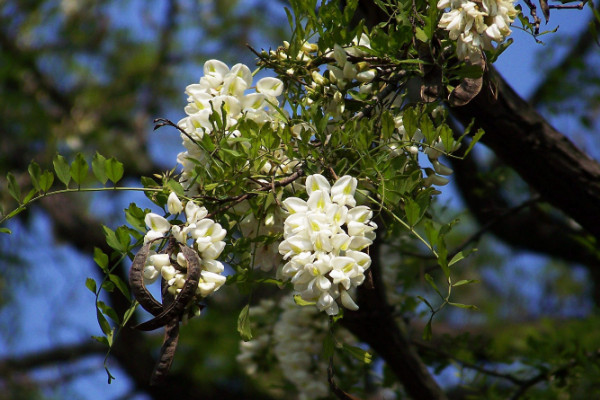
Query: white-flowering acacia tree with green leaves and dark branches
(316, 188)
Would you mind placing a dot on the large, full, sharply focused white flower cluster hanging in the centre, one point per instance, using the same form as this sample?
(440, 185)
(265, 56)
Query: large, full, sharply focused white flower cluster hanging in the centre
(324, 237)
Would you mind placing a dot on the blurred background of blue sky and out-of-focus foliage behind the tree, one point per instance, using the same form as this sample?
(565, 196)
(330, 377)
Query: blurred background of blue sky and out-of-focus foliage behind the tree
(91, 76)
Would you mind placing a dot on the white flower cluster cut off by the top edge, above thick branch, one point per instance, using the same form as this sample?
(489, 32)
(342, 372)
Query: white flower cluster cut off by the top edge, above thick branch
(475, 24)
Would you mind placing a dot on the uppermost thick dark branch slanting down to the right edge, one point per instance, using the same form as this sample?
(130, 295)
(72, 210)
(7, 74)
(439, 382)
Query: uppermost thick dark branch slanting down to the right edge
(547, 160)
